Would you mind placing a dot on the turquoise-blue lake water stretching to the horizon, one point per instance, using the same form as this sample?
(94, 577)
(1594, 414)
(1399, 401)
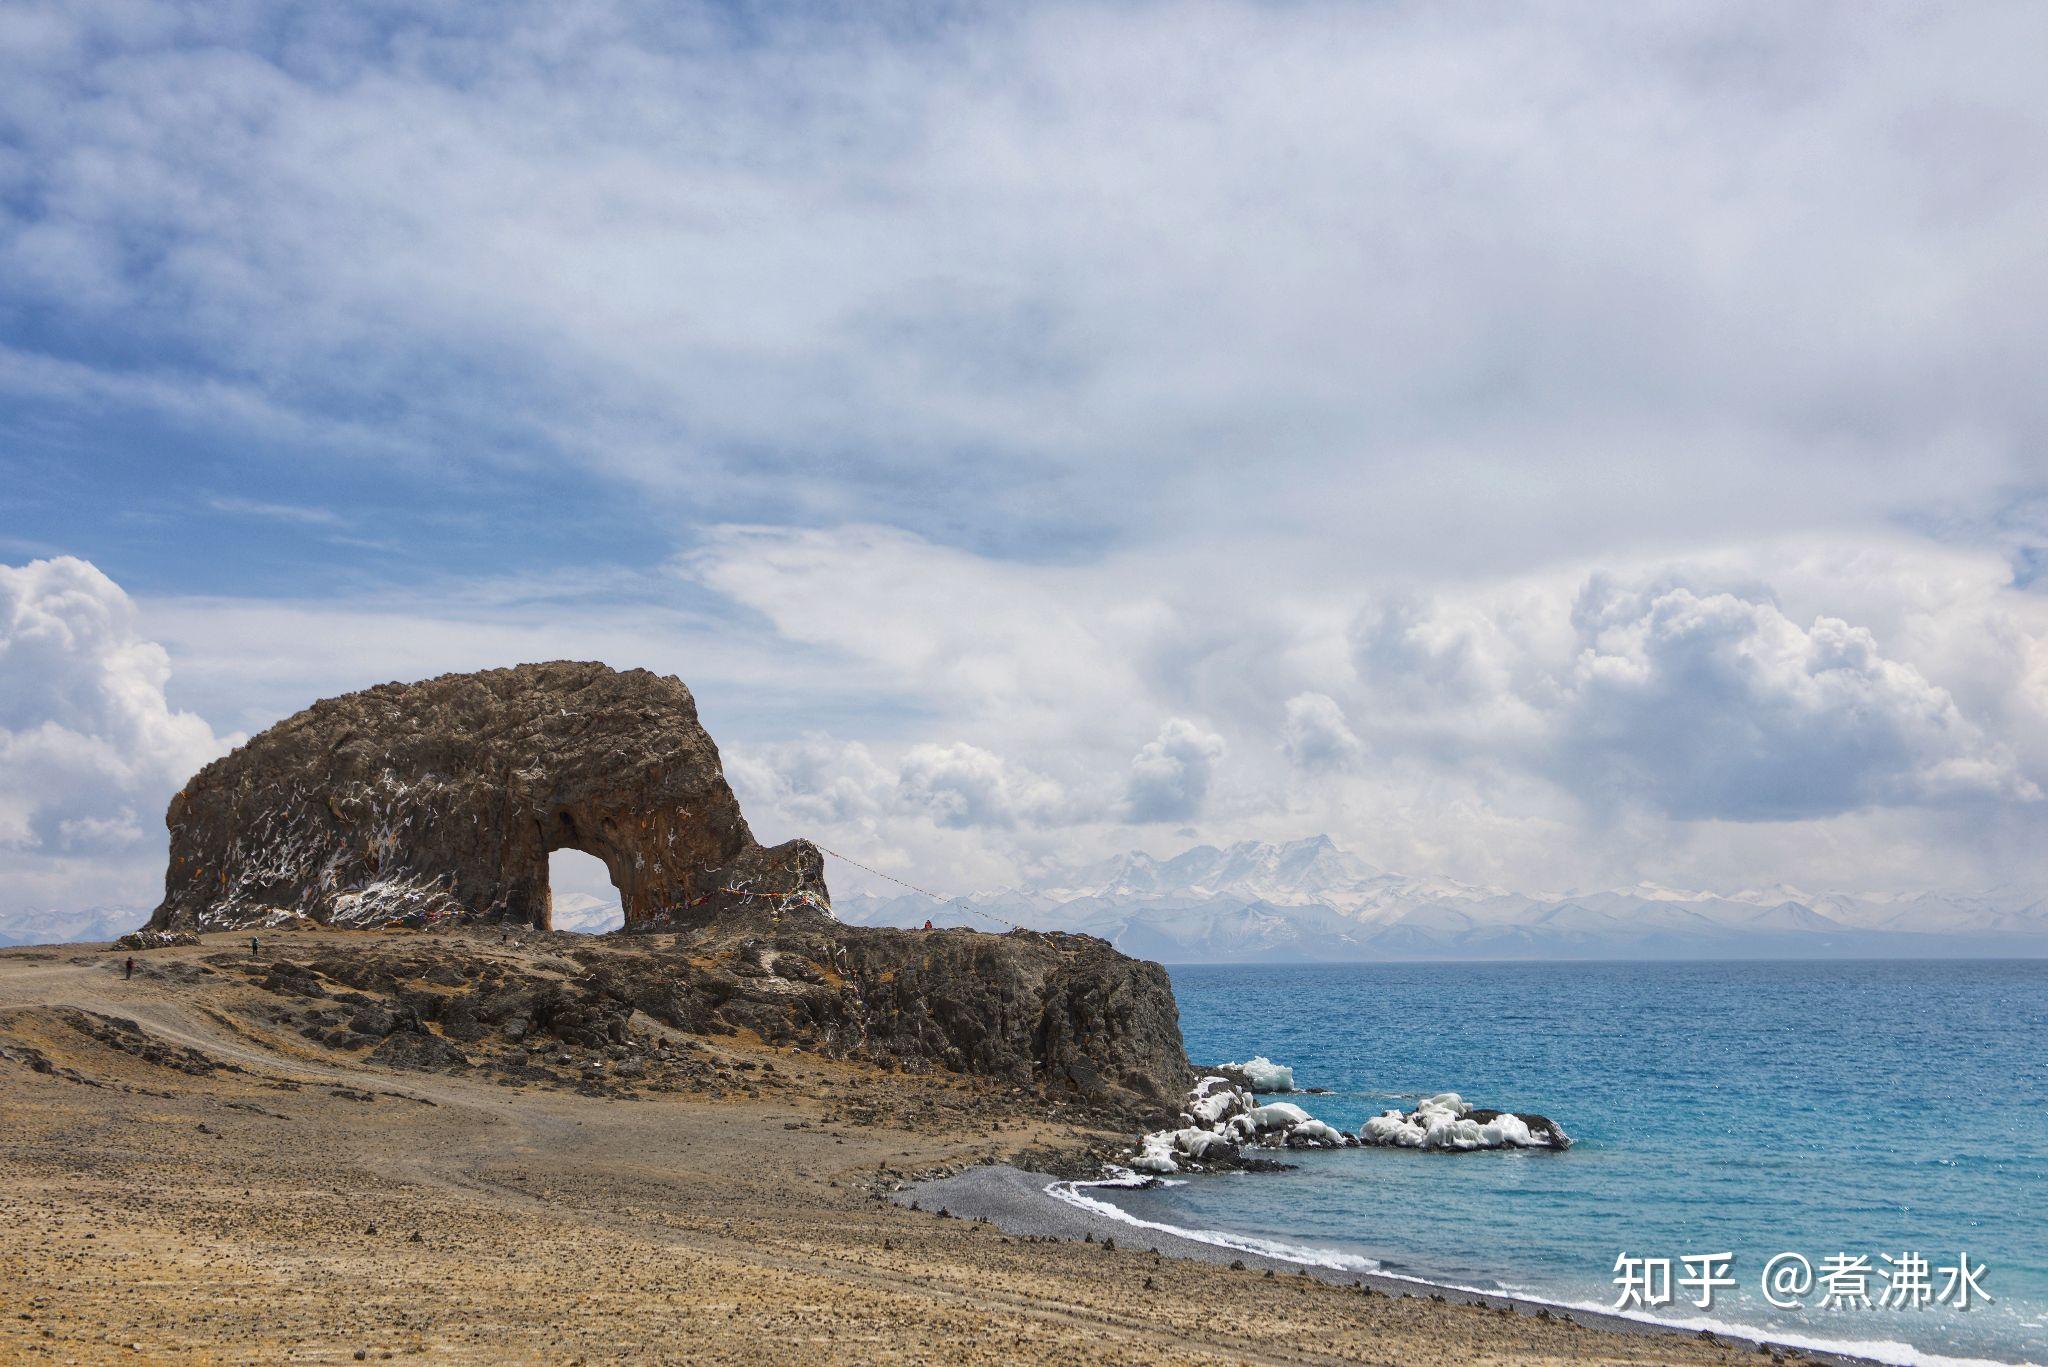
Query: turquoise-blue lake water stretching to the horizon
(1717, 1108)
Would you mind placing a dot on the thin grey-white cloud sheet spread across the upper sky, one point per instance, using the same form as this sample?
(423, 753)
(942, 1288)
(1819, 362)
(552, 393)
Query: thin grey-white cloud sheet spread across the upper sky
(1058, 274)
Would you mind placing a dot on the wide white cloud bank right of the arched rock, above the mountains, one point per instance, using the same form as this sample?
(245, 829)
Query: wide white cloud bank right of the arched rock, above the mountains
(1541, 731)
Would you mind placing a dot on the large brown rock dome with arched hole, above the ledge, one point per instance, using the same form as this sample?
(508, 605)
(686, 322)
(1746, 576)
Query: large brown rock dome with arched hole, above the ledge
(441, 802)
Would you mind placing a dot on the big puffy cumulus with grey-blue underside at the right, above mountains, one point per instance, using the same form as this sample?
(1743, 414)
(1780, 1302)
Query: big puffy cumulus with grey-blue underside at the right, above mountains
(1695, 694)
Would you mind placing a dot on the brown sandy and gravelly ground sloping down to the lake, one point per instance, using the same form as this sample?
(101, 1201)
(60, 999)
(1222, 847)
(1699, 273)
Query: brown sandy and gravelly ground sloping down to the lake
(181, 1182)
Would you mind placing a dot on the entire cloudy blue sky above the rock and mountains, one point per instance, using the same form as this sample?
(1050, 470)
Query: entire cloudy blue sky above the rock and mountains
(1545, 446)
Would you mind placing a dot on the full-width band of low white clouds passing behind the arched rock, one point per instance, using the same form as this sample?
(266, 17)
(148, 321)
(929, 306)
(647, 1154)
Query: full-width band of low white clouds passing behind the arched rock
(1848, 714)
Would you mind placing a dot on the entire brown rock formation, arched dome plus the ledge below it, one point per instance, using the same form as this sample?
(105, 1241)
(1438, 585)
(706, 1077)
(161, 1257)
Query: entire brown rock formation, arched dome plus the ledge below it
(437, 804)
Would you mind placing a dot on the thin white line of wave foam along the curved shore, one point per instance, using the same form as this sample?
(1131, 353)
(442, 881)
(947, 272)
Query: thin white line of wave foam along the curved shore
(1883, 1352)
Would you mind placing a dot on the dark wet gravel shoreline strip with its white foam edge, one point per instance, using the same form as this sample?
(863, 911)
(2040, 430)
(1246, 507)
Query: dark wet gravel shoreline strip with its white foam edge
(1021, 1202)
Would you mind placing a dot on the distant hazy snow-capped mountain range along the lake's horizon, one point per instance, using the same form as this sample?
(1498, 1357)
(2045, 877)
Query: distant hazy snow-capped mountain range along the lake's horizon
(1308, 901)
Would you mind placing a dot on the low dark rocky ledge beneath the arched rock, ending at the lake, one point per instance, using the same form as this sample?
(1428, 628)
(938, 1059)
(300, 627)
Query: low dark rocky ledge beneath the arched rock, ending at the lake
(1058, 1016)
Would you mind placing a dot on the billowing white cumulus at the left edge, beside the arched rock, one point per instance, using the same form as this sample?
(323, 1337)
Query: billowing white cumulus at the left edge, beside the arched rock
(91, 751)
